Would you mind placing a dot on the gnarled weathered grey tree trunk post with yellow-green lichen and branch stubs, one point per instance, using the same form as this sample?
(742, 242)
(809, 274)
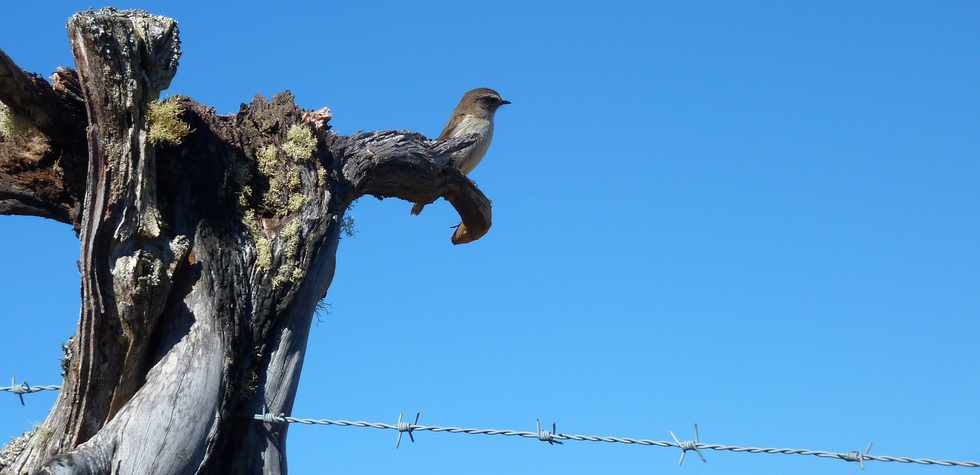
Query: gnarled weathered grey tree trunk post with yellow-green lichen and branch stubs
(203, 253)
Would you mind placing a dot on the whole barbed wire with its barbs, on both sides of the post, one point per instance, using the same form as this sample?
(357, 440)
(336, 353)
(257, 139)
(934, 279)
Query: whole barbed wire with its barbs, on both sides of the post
(554, 437)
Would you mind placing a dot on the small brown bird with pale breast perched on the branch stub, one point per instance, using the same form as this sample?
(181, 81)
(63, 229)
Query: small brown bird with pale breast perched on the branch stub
(473, 115)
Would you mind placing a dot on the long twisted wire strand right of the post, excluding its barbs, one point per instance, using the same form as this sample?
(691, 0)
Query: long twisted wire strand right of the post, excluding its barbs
(845, 456)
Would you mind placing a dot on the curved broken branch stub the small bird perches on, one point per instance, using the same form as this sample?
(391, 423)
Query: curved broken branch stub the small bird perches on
(409, 166)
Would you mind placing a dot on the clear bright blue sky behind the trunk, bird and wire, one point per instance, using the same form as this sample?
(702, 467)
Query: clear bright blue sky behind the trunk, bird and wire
(756, 216)
